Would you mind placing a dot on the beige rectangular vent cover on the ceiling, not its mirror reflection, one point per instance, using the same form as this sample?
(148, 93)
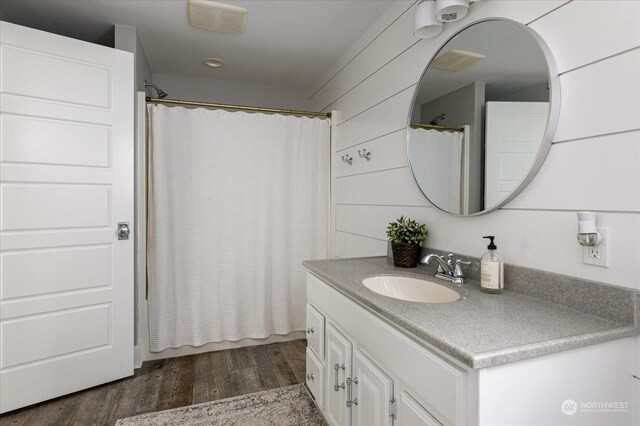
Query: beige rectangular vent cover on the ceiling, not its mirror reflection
(217, 16)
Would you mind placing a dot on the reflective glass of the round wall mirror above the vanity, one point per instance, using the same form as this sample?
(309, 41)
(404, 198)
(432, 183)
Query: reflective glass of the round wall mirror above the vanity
(483, 117)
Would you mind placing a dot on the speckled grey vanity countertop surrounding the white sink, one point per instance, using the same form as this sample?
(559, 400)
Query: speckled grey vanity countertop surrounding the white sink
(481, 330)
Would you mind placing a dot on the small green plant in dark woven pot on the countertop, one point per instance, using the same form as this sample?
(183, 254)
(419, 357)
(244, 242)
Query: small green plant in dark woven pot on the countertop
(406, 235)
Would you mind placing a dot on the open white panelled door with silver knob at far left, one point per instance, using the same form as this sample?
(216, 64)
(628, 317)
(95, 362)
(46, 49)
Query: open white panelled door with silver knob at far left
(66, 179)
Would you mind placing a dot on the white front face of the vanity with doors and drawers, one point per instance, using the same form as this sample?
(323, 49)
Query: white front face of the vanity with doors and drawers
(374, 375)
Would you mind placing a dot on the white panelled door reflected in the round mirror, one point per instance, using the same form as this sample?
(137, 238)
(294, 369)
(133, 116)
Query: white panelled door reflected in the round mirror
(513, 131)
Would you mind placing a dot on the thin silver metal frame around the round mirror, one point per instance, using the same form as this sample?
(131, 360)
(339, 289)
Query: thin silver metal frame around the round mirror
(547, 137)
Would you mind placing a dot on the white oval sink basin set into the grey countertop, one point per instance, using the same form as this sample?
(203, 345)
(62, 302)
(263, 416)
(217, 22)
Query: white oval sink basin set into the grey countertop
(411, 289)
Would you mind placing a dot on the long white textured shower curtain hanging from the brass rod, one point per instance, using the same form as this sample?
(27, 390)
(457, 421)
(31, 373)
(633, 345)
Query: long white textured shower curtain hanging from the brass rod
(236, 202)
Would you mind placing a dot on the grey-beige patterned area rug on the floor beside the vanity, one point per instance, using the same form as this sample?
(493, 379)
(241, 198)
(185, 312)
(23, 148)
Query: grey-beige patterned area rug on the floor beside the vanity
(290, 405)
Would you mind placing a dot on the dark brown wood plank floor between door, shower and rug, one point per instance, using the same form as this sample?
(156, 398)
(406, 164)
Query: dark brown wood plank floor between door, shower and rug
(171, 383)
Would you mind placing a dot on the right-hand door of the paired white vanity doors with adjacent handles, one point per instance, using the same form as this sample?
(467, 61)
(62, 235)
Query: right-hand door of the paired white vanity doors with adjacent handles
(372, 393)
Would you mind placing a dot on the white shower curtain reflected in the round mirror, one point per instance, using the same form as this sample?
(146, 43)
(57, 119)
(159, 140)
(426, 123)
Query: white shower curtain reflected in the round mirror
(436, 160)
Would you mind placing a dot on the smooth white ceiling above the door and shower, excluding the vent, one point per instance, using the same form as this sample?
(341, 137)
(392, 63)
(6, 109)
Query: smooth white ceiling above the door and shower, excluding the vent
(285, 43)
